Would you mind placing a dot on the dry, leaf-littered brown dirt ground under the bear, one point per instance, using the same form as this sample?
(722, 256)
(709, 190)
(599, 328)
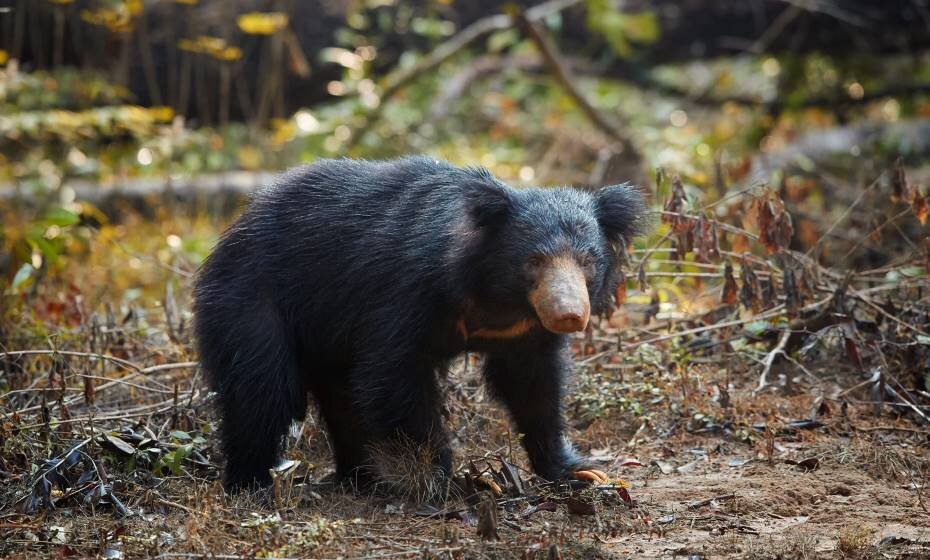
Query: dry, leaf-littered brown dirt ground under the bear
(750, 481)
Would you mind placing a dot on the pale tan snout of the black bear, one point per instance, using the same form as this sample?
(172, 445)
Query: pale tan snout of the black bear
(560, 296)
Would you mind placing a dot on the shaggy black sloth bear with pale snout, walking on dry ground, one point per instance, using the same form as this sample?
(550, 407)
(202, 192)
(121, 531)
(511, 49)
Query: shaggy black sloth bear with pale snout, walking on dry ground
(357, 282)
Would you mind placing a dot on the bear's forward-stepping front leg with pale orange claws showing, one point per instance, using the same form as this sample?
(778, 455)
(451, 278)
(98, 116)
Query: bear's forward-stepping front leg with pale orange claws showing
(529, 377)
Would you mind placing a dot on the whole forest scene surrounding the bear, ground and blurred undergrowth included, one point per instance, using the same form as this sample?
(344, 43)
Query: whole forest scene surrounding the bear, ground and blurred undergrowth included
(763, 389)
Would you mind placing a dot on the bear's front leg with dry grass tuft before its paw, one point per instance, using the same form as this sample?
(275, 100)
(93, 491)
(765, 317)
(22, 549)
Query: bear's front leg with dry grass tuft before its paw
(401, 406)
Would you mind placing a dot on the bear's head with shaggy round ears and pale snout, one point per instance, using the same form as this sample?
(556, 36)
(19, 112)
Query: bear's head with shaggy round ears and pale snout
(554, 253)
